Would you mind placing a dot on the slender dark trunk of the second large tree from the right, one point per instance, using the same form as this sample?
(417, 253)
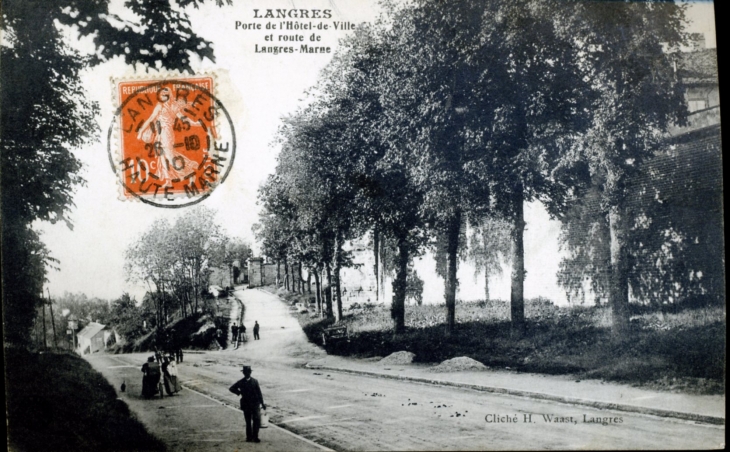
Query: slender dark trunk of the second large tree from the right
(517, 299)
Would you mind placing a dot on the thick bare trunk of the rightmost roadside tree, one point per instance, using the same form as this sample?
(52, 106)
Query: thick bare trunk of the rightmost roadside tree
(618, 271)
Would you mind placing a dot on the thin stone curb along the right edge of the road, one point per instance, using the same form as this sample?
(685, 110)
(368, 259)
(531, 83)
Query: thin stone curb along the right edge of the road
(706, 419)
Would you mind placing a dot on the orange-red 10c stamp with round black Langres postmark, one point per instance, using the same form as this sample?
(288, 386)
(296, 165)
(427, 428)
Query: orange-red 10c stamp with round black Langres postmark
(171, 142)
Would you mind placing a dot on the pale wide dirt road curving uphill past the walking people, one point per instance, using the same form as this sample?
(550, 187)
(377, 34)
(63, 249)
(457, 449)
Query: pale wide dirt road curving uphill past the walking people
(349, 412)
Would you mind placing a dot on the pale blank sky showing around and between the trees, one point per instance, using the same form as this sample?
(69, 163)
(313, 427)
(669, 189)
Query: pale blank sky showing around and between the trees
(257, 90)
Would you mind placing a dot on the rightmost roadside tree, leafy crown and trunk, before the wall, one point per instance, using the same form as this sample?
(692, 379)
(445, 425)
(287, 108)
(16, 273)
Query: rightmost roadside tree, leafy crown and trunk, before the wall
(631, 50)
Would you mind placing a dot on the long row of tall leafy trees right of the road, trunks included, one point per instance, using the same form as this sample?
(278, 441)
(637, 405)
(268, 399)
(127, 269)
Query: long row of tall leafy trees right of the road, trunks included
(444, 114)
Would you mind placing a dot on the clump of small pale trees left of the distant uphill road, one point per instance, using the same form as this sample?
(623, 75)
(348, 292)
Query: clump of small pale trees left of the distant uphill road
(176, 260)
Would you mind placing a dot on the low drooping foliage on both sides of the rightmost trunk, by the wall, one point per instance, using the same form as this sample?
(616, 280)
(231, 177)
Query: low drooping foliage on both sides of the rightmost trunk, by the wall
(672, 243)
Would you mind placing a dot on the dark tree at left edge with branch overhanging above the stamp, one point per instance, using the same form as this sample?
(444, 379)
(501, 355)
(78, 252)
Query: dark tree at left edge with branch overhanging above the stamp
(45, 115)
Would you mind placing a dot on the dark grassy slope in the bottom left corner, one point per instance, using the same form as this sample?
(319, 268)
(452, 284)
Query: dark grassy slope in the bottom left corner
(57, 402)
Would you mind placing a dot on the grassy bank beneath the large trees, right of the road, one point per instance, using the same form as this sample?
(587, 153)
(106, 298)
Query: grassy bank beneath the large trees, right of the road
(683, 351)
